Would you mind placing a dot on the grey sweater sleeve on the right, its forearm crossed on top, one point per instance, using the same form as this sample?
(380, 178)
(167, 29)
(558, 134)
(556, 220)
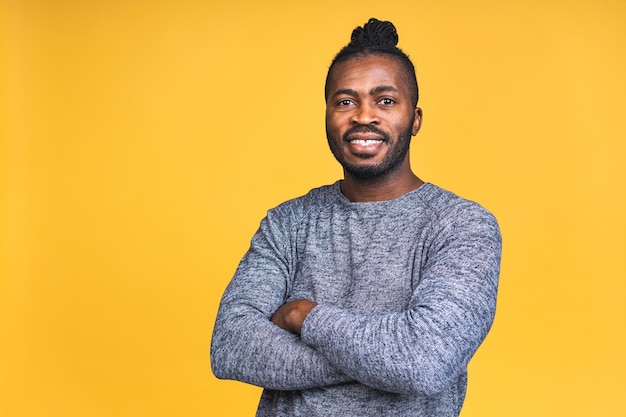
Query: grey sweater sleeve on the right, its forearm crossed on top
(425, 348)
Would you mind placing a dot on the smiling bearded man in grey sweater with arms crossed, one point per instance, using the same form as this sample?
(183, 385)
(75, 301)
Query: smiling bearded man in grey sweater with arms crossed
(367, 297)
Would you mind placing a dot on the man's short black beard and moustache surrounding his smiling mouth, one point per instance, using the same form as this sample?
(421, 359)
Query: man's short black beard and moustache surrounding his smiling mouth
(391, 161)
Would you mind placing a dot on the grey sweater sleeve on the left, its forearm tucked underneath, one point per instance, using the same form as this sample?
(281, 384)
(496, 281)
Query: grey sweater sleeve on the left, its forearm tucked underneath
(246, 346)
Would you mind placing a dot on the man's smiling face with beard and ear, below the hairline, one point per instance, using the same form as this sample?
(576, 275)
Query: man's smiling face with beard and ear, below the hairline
(370, 117)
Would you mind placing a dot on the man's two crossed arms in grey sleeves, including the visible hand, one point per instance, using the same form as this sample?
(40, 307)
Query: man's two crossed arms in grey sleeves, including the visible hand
(420, 350)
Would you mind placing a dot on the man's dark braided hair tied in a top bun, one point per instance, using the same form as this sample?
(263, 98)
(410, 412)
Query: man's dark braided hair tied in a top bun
(376, 38)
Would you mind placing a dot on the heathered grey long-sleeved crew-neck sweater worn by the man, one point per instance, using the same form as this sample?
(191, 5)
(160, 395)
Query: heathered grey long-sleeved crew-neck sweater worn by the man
(406, 291)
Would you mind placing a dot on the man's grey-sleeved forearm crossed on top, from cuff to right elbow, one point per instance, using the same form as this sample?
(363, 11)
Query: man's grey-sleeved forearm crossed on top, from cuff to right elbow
(396, 352)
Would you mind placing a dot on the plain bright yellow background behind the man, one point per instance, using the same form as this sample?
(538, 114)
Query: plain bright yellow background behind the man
(142, 142)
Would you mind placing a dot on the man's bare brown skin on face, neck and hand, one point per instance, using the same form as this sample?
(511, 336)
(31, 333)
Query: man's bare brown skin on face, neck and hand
(369, 122)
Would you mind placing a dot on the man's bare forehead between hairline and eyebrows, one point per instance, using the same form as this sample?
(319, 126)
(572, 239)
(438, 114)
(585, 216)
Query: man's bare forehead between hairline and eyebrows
(367, 72)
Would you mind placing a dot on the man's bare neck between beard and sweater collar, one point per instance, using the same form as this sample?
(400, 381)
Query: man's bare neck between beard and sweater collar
(379, 189)
